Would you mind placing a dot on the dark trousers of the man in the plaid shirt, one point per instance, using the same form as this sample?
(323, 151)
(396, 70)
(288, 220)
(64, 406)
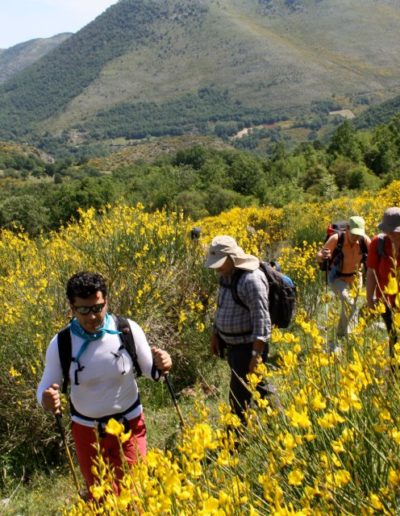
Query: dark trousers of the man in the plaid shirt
(239, 357)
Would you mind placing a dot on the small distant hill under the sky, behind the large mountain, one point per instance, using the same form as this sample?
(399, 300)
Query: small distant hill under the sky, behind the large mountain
(18, 57)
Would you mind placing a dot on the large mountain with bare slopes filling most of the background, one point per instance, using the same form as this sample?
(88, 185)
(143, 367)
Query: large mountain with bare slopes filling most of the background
(156, 67)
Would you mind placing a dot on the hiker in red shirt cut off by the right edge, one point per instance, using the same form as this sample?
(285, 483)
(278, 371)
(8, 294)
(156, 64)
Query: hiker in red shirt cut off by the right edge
(383, 261)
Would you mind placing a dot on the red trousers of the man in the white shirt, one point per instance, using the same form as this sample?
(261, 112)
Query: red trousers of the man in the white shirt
(134, 448)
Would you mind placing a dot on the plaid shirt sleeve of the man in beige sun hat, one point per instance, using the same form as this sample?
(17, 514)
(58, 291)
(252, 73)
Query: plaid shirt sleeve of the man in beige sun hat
(253, 290)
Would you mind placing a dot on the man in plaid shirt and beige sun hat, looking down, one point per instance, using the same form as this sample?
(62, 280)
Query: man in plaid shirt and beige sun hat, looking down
(242, 330)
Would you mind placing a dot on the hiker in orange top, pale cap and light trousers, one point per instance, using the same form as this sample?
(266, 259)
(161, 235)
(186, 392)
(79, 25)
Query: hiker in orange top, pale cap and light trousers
(343, 253)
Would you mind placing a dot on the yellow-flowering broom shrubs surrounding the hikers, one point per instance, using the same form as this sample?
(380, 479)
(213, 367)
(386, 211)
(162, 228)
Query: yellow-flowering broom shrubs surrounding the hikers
(335, 448)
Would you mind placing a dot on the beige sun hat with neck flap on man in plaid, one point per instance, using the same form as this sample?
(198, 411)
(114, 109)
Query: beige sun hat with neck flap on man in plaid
(223, 246)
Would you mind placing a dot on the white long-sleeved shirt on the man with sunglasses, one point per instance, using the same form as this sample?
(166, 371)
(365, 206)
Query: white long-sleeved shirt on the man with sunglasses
(106, 384)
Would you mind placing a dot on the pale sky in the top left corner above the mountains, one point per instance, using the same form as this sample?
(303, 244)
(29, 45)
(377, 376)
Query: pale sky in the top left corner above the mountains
(22, 20)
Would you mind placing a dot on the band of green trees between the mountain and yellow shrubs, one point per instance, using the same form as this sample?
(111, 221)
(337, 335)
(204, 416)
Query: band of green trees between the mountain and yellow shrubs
(203, 181)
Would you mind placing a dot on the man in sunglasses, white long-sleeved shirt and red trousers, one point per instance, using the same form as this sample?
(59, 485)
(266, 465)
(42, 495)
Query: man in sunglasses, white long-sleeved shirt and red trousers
(101, 361)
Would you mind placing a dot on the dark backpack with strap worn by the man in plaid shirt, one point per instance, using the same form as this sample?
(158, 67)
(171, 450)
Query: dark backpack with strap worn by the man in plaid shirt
(281, 295)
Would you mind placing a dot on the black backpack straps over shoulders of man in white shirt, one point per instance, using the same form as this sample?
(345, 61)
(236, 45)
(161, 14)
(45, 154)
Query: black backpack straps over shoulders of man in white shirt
(65, 348)
